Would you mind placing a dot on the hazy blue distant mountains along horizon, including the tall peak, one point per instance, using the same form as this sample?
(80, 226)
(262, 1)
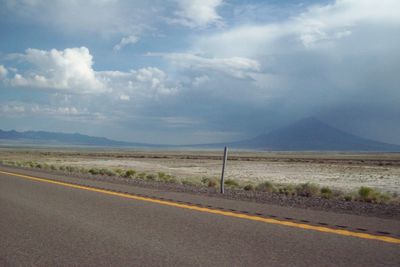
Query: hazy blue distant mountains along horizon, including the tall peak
(305, 135)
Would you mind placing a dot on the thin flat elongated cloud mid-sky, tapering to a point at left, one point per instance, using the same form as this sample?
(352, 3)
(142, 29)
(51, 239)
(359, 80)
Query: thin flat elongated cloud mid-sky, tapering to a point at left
(237, 67)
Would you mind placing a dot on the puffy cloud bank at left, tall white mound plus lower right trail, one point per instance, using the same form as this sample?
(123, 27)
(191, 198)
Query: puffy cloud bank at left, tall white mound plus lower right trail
(71, 71)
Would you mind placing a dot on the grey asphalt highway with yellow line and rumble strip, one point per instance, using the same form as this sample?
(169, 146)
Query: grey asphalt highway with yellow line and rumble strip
(48, 220)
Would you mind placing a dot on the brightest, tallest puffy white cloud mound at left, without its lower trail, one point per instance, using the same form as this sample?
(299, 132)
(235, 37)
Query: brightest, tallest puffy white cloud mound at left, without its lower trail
(69, 69)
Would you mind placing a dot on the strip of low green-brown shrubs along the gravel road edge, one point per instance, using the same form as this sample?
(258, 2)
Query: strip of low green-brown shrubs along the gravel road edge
(363, 194)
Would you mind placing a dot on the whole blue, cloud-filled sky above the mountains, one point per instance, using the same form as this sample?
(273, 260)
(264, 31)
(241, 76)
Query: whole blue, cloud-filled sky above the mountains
(199, 71)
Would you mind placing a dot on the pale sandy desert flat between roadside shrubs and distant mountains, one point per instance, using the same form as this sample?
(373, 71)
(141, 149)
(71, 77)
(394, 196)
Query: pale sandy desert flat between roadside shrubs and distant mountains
(343, 171)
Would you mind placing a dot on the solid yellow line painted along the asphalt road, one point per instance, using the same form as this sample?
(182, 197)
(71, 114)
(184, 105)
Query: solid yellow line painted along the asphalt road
(219, 212)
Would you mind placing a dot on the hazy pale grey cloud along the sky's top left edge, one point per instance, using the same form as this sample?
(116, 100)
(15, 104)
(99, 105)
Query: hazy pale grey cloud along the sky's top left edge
(105, 17)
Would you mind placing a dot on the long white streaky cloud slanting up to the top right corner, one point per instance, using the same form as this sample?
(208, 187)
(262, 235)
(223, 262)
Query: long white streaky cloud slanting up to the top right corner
(317, 25)
